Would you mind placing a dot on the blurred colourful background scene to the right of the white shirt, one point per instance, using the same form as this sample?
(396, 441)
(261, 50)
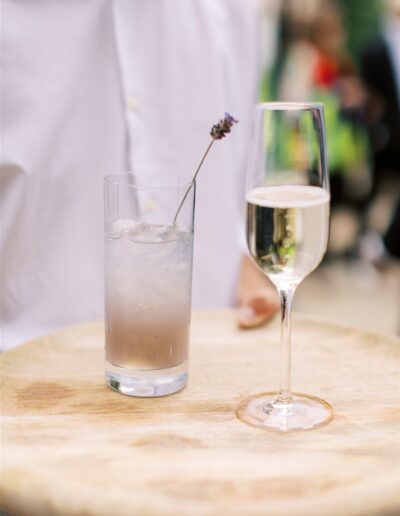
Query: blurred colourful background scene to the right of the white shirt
(346, 54)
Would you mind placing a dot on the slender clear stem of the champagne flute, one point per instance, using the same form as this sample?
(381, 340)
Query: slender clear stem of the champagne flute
(286, 298)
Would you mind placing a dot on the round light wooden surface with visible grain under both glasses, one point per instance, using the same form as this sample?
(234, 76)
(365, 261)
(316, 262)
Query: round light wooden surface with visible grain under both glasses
(71, 446)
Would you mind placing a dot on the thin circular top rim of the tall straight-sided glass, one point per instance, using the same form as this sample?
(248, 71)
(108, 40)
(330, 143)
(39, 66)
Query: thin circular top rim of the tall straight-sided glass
(117, 180)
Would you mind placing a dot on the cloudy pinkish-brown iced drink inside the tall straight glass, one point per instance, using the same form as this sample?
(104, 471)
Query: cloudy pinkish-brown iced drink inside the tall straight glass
(148, 292)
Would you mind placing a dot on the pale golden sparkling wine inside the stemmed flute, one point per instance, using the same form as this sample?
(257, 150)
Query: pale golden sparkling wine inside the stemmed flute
(287, 230)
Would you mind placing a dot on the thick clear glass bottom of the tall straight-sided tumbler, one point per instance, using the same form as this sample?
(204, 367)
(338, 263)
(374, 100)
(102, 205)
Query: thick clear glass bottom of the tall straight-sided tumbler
(146, 384)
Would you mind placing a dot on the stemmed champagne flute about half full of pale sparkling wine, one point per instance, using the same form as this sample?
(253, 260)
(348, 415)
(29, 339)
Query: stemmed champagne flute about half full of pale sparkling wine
(287, 232)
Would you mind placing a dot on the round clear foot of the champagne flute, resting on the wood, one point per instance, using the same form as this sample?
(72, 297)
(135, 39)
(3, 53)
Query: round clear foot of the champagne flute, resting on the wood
(303, 412)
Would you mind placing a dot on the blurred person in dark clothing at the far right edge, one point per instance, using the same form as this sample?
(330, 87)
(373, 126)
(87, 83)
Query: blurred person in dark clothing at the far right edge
(380, 101)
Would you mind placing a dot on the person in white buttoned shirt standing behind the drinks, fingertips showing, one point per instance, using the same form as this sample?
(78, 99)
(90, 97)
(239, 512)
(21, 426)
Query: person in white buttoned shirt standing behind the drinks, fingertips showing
(100, 87)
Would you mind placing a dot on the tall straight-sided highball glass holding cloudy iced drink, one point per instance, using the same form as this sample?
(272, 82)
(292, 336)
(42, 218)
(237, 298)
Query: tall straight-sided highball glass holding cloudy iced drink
(148, 279)
